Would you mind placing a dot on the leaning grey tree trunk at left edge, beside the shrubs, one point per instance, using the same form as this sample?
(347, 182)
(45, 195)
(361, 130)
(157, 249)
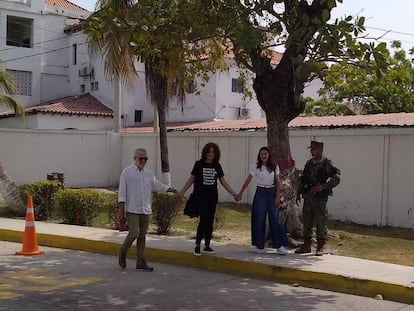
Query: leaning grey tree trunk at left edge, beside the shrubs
(10, 193)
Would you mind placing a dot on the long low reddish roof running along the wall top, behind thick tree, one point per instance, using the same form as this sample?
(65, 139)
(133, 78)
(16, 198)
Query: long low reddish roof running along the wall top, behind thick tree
(374, 120)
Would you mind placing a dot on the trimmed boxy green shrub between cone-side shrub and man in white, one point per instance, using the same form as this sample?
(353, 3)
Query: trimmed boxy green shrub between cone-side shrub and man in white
(79, 206)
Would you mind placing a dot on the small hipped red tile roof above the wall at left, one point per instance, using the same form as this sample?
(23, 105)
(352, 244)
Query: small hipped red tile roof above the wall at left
(73, 105)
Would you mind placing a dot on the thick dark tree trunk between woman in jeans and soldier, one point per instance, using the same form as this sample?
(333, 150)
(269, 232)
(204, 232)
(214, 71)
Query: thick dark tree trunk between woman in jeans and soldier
(279, 96)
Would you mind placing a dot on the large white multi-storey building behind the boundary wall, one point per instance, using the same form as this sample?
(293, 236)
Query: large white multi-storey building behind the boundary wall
(45, 51)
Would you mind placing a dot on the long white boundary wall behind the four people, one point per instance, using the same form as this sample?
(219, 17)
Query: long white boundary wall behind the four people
(377, 165)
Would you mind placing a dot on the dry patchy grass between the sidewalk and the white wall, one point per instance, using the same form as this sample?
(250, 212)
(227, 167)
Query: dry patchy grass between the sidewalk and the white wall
(387, 244)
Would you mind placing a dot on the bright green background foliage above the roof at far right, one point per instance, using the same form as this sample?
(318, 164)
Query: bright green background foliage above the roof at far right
(372, 88)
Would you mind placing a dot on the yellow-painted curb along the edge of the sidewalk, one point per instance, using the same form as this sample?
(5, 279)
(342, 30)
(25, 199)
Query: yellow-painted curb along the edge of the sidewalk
(296, 277)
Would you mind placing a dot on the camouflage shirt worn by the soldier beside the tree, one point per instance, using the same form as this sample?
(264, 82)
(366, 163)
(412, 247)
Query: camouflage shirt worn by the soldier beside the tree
(319, 173)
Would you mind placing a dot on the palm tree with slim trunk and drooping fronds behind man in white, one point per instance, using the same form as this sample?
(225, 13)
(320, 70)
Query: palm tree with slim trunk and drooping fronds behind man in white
(126, 32)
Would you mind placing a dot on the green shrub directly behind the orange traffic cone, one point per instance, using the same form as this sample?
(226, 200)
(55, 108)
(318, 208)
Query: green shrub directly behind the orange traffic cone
(43, 194)
